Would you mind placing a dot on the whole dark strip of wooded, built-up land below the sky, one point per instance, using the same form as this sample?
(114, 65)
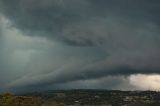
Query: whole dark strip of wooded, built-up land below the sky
(82, 98)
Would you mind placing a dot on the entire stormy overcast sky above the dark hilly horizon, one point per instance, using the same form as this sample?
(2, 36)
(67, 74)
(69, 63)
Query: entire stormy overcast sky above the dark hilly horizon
(79, 44)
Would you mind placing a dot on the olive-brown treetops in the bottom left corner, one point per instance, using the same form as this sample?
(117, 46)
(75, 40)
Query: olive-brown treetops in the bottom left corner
(8, 99)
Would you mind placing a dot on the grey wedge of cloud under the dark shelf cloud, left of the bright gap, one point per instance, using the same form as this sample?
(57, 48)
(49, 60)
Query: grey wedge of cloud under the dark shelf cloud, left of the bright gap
(110, 82)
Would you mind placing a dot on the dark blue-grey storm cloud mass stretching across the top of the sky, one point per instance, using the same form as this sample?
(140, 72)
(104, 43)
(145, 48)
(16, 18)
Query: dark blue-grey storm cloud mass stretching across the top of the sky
(54, 18)
